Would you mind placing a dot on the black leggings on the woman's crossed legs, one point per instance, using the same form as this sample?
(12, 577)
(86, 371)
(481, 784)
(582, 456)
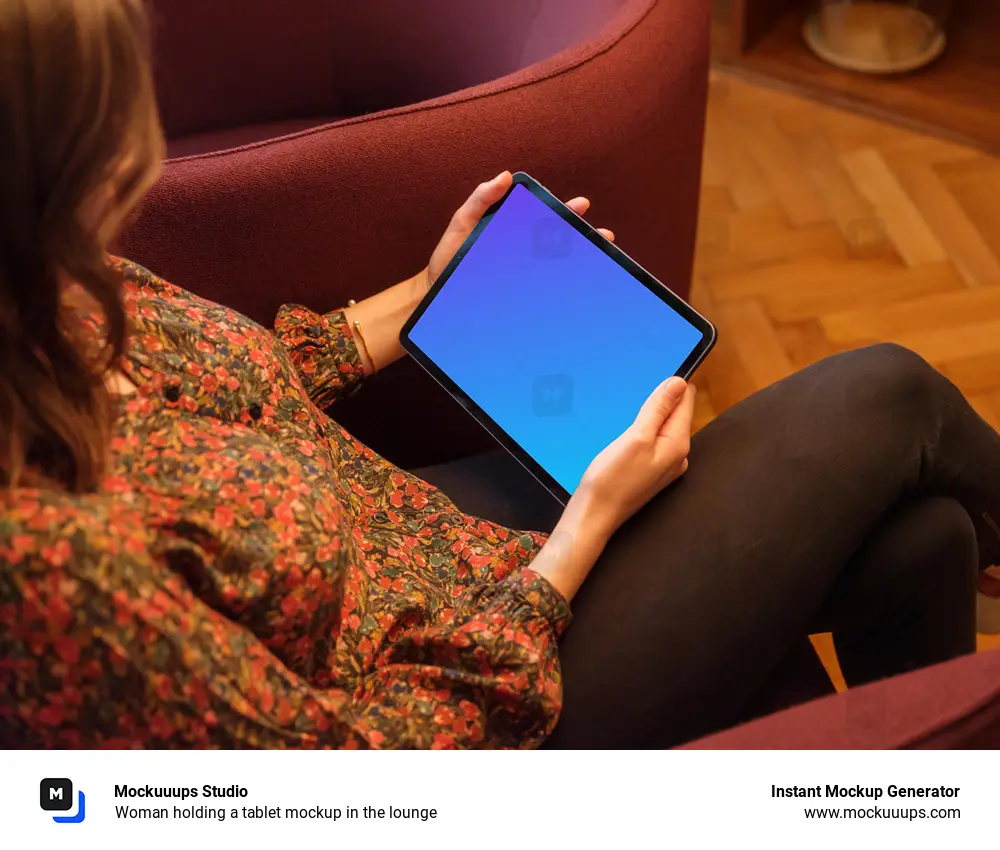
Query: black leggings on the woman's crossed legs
(856, 497)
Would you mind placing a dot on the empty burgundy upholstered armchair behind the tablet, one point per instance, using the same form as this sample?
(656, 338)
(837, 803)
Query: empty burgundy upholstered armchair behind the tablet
(319, 148)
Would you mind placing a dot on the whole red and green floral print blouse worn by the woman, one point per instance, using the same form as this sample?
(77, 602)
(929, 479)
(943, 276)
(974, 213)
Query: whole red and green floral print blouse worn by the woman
(250, 575)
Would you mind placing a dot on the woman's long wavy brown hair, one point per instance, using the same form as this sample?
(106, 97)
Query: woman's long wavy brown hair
(80, 143)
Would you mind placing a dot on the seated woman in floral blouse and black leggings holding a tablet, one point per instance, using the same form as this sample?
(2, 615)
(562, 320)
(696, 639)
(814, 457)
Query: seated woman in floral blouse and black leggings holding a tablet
(192, 553)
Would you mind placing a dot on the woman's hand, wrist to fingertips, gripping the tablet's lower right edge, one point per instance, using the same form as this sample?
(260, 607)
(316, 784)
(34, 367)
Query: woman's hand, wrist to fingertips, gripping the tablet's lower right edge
(649, 456)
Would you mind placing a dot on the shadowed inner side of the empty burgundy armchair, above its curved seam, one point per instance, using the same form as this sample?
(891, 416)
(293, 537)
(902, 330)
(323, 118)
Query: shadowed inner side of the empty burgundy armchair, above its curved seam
(222, 64)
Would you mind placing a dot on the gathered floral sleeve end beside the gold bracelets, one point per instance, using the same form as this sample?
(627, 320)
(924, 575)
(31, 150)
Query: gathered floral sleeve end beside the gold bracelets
(323, 352)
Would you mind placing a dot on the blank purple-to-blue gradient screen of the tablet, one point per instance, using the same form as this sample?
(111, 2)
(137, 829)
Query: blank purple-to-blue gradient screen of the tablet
(555, 341)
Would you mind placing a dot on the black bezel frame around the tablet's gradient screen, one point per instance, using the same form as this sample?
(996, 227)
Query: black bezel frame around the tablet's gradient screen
(686, 369)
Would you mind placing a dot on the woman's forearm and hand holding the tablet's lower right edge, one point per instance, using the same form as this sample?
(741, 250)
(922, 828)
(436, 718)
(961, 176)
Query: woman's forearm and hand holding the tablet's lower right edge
(651, 454)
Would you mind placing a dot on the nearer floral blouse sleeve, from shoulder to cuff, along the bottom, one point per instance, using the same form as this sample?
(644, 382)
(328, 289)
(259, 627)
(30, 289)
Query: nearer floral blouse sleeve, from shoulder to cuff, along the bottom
(102, 651)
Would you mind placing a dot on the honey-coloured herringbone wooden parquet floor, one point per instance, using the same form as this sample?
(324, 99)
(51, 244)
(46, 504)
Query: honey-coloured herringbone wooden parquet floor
(821, 230)
